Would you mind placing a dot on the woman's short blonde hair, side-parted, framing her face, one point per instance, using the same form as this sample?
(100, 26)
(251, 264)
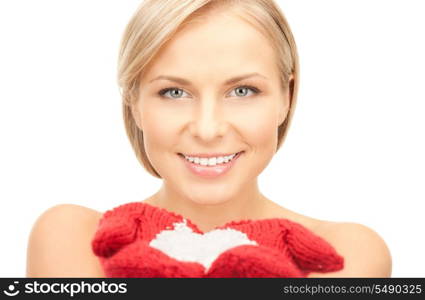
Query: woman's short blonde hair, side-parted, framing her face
(155, 22)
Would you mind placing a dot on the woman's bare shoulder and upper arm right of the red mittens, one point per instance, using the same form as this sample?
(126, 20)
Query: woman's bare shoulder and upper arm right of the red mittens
(365, 252)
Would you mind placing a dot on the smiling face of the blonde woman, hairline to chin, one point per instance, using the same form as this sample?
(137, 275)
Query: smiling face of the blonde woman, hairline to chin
(204, 114)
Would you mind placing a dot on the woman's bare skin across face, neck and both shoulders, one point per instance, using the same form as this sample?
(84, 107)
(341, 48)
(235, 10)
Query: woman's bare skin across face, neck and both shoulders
(208, 117)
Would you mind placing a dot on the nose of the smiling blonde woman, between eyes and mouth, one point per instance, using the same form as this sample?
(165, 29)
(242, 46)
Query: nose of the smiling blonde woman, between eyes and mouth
(208, 121)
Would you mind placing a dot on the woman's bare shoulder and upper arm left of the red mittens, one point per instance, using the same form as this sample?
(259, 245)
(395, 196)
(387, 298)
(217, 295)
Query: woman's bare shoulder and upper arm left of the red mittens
(59, 244)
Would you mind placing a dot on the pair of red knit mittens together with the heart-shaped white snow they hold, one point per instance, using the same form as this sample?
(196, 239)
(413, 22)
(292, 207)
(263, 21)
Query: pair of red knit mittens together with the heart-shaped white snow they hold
(140, 240)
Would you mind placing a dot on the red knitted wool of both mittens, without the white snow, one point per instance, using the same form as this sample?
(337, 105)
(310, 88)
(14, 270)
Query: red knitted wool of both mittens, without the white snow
(285, 248)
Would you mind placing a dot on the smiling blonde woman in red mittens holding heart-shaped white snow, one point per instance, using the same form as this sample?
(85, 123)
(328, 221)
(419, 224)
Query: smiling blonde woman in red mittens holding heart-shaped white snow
(209, 89)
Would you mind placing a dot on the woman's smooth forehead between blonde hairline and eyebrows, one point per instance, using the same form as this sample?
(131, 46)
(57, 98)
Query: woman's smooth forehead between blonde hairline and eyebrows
(219, 43)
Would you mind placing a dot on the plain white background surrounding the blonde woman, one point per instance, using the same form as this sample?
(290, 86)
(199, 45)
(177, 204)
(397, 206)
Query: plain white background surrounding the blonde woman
(354, 151)
